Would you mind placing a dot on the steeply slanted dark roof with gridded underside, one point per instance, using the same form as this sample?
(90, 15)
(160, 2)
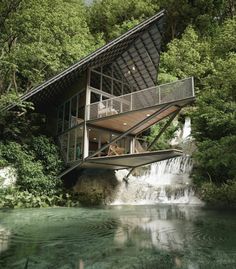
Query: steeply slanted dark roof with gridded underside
(134, 54)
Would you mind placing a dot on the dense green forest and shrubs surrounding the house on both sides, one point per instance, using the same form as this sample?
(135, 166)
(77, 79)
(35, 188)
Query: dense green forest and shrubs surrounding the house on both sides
(39, 38)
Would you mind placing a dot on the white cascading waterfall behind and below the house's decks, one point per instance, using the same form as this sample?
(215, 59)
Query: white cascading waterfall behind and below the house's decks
(162, 182)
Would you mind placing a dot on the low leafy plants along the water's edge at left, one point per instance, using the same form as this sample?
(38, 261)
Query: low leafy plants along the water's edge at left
(16, 198)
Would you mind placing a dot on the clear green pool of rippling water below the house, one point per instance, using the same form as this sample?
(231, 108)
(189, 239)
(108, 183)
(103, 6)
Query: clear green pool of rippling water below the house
(118, 237)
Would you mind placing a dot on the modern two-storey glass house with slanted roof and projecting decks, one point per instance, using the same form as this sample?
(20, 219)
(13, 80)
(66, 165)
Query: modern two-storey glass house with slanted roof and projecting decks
(99, 107)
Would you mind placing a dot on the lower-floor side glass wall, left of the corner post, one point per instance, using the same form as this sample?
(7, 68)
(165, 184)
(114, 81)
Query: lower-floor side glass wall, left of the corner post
(71, 144)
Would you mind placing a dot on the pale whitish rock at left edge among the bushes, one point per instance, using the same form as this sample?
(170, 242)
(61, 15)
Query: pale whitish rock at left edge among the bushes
(8, 176)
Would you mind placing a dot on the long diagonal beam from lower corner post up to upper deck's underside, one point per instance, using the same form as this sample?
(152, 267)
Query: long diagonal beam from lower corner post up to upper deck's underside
(130, 130)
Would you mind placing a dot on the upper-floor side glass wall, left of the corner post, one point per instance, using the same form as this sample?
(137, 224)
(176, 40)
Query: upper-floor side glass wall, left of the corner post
(71, 113)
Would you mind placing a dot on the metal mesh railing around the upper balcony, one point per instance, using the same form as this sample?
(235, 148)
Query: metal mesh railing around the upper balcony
(166, 93)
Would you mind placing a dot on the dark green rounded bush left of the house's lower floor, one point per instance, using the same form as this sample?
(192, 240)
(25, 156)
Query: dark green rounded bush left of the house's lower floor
(34, 175)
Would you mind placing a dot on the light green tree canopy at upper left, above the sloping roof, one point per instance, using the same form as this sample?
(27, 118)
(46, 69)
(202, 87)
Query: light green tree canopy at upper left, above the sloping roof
(40, 38)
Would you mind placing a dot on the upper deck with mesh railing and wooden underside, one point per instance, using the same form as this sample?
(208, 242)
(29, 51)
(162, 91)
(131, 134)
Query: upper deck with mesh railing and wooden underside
(122, 112)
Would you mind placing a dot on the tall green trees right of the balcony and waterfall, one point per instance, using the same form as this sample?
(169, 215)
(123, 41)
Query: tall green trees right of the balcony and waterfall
(212, 61)
